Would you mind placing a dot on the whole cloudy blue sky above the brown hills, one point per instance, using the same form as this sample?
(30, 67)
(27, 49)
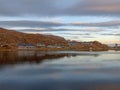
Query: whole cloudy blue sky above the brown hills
(81, 20)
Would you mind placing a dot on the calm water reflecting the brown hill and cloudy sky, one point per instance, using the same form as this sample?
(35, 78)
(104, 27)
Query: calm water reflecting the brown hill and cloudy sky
(30, 70)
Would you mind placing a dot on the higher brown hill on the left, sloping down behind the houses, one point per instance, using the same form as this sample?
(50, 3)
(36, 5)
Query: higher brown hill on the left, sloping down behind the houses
(13, 38)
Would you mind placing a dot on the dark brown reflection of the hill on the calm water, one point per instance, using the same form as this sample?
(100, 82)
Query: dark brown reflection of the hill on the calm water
(31, 56)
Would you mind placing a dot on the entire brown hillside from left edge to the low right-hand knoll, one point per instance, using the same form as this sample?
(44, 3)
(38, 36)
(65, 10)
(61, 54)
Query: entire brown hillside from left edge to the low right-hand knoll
(9, 39)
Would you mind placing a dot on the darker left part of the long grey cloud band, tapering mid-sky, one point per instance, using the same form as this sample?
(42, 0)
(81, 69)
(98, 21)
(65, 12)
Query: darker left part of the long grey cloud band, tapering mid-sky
(24, 23)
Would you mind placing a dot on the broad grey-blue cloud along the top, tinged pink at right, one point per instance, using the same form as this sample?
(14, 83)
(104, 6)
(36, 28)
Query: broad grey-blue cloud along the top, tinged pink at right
(59, 7)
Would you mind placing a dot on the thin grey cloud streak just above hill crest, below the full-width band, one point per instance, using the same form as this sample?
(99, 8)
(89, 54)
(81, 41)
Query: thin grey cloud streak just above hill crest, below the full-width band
(52, 30)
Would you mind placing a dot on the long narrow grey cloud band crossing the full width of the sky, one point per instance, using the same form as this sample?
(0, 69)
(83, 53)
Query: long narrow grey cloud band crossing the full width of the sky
(49, 24)
